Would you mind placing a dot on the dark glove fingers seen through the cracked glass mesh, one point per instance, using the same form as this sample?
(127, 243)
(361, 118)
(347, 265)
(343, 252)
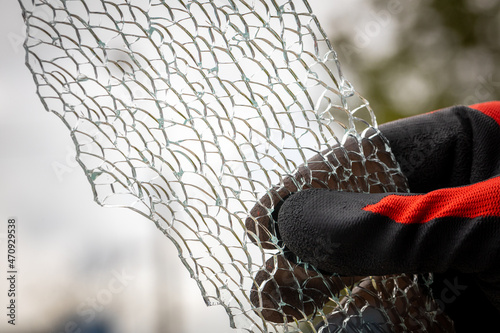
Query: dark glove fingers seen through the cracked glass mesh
(286, 290)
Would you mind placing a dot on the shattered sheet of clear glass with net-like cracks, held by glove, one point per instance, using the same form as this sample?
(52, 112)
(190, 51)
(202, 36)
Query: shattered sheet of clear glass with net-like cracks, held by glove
(190, 112)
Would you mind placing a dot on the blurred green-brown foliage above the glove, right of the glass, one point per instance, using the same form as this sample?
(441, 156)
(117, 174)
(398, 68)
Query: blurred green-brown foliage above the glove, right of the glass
(413, 56)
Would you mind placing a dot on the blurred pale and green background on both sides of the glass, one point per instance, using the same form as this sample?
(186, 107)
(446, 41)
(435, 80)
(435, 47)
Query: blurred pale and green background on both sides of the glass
(83, 268)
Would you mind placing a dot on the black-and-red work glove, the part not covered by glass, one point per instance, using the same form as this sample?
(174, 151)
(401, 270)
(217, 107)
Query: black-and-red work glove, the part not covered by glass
(452, 158)
